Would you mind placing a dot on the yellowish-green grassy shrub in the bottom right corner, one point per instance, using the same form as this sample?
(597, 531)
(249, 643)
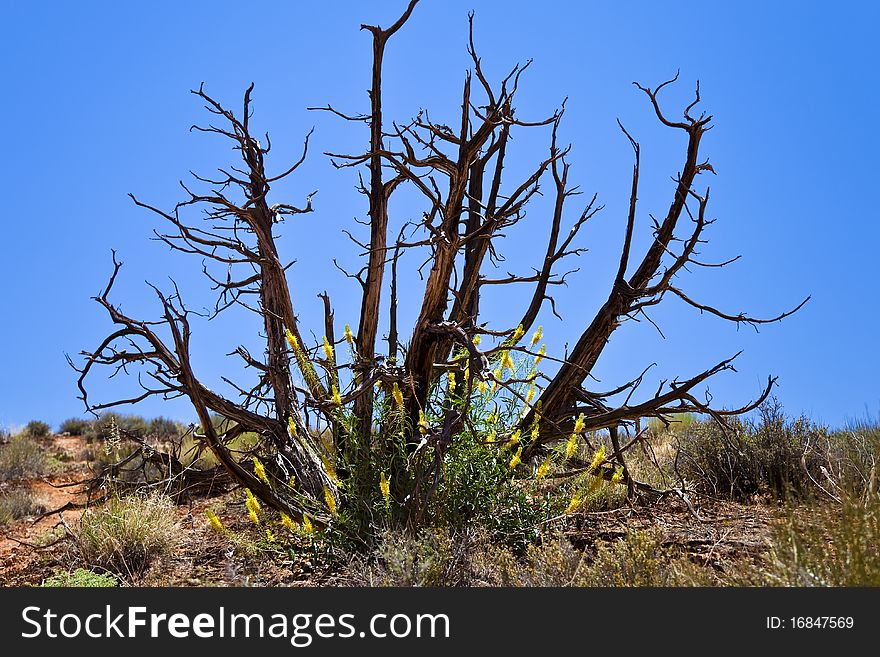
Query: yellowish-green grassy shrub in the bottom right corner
(828, 545)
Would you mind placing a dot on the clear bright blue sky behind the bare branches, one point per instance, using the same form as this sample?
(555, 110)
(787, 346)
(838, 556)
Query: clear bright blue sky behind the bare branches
(96, 104)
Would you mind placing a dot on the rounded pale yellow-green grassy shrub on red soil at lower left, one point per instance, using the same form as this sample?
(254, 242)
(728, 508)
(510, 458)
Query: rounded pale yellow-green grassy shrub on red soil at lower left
(127, 533)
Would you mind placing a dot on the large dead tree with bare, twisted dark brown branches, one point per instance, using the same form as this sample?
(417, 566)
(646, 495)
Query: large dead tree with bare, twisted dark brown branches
(469, 202)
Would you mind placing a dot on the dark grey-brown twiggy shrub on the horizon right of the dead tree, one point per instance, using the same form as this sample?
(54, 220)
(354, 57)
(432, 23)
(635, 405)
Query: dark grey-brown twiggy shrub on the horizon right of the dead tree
(770, 455)
